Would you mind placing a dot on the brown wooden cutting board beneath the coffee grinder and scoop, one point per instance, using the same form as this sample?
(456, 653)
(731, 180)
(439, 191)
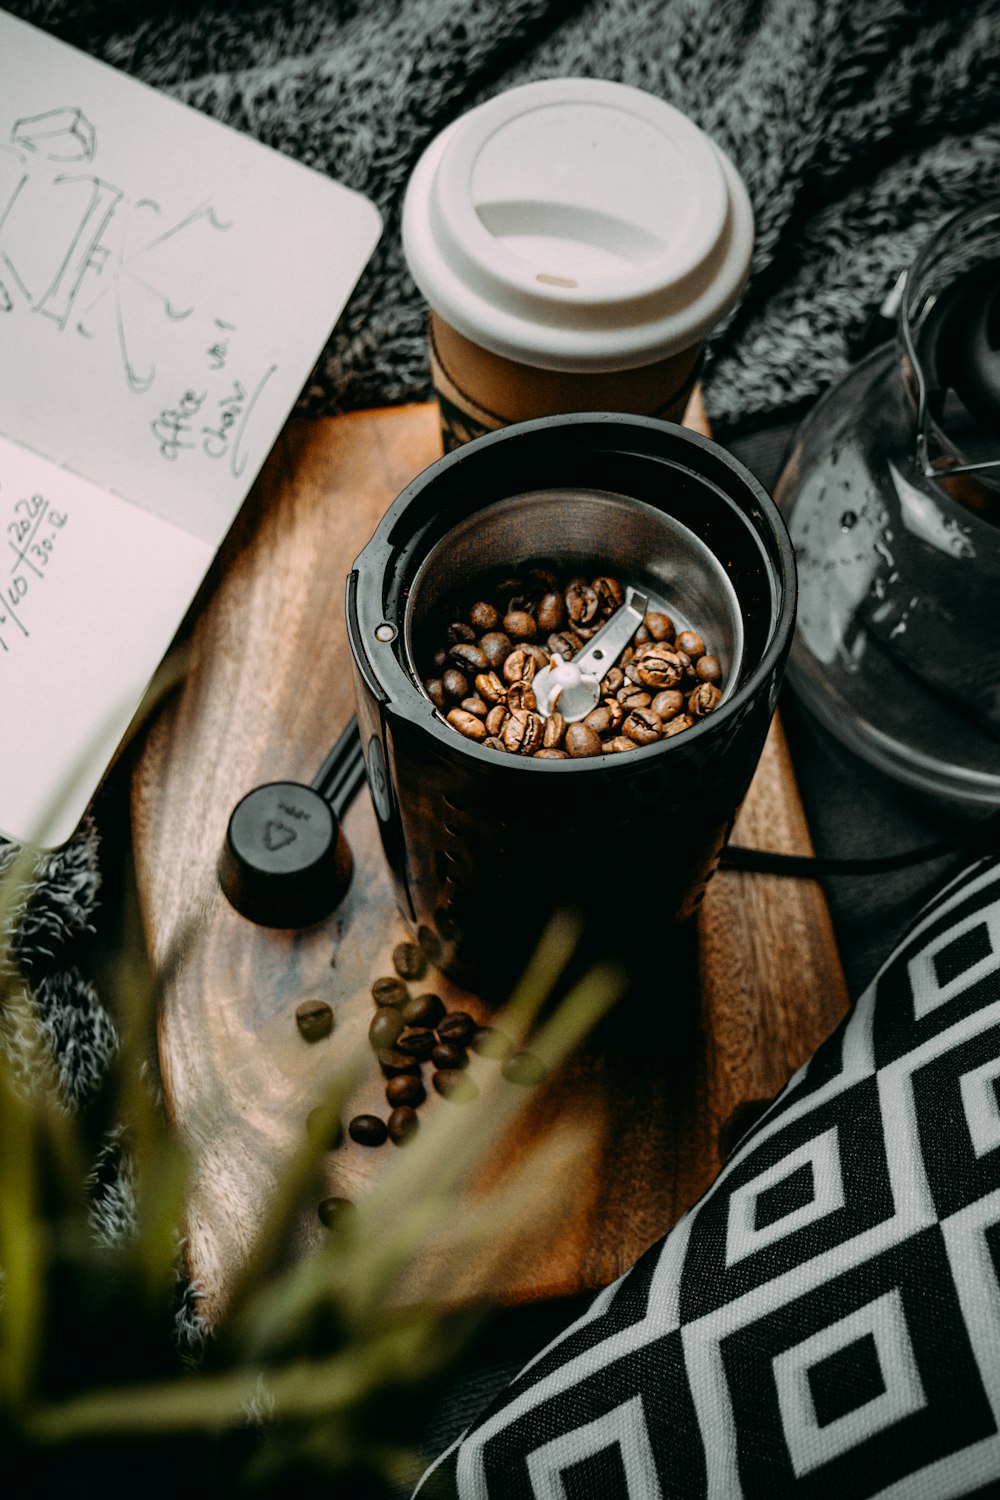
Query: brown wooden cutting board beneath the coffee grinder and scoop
(269, 692)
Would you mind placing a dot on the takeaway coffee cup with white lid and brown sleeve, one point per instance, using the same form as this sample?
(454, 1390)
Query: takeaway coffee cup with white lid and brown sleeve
(576, 241)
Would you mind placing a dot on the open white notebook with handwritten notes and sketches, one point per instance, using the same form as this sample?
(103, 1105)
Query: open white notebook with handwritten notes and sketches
(166, 289)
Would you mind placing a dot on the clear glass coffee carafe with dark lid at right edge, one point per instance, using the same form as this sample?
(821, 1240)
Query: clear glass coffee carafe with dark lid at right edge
(893, 500)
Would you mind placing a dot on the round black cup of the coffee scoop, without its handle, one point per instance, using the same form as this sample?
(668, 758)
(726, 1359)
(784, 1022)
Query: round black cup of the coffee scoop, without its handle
(286, 862)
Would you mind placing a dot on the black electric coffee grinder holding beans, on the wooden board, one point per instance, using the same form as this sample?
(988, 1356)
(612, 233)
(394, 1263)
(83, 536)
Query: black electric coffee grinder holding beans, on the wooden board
(485, 847)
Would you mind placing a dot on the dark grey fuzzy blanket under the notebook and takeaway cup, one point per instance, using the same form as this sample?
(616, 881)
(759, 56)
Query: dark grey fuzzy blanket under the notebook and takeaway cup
(858, 127)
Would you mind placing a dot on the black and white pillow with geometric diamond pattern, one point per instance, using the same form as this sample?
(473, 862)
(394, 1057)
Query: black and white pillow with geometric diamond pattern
(827, 1321)
